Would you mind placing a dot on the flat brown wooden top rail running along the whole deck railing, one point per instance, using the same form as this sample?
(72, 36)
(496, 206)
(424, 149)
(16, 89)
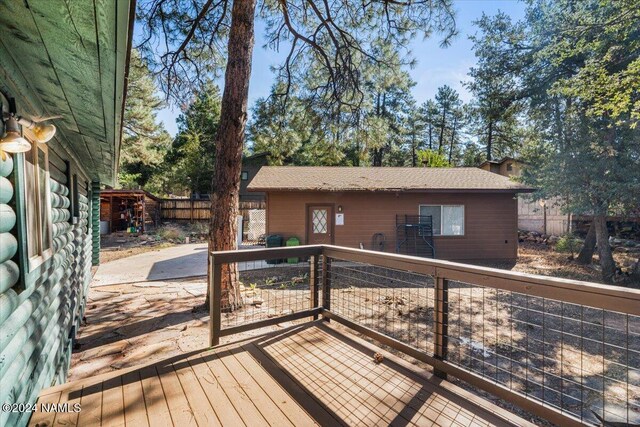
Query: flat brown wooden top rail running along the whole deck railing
(594, 295)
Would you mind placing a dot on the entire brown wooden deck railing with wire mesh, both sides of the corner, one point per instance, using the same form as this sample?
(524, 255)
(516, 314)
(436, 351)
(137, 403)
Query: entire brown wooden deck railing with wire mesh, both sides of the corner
(564, 350)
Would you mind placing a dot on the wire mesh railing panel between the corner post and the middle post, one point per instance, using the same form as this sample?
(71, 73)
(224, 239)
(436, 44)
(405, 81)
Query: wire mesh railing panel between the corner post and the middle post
(397, 303)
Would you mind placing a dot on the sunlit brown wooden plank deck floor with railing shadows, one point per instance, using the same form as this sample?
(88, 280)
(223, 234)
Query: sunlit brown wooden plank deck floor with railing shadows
(303, 375)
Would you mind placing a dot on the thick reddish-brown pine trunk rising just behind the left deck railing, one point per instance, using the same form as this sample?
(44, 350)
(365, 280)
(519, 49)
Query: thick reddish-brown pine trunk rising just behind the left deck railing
(229, 144)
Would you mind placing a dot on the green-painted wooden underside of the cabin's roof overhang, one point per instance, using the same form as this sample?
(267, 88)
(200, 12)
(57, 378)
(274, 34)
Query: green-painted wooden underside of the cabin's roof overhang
(72, 62)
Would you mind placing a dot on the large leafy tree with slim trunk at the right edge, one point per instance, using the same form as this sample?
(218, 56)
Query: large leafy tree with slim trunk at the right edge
(568, 77)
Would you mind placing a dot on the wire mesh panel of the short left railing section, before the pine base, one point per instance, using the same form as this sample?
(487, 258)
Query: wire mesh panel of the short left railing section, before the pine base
(266, 289)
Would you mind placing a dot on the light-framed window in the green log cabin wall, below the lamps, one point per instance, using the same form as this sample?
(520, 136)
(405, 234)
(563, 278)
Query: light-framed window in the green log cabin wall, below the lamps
(37, 205)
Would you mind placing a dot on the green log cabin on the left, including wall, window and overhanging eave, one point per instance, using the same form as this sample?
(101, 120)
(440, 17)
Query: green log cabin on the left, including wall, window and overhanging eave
(66, 63)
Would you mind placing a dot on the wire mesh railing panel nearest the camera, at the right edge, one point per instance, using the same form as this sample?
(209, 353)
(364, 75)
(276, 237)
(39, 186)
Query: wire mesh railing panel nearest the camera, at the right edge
(580, 360)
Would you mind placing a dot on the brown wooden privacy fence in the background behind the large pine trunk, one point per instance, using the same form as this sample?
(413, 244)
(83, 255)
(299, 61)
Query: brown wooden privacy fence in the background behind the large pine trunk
(198, 210)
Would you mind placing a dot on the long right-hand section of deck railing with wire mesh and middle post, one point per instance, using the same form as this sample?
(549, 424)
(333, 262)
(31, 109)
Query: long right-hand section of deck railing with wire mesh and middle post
(570, 347)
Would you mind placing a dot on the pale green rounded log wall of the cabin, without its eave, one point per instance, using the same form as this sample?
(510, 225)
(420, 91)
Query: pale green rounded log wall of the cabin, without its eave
(41, 310)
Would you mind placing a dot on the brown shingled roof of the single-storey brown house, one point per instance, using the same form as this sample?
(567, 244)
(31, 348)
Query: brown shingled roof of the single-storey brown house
(312, 178)
